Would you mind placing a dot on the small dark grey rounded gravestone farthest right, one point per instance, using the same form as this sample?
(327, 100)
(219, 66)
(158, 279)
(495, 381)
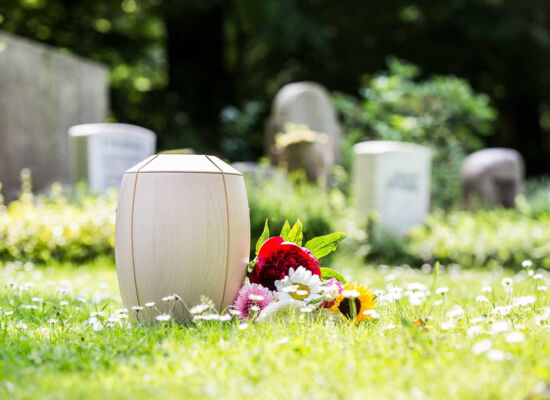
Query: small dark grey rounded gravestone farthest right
(492, 177)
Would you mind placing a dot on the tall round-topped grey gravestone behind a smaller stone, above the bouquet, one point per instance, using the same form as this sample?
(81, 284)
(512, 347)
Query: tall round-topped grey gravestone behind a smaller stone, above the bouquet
(304, 103)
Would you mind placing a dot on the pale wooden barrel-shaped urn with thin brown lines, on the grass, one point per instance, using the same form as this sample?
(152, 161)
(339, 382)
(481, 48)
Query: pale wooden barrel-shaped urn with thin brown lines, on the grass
(182, 227)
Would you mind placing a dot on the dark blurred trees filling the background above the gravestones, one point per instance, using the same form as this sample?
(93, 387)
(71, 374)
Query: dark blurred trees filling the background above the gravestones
(203, 73)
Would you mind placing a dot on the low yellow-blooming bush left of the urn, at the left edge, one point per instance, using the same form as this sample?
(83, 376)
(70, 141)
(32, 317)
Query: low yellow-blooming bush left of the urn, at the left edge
(50, 228)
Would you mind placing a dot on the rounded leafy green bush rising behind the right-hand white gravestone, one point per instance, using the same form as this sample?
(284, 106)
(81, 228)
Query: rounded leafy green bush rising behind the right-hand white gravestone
(442, 112)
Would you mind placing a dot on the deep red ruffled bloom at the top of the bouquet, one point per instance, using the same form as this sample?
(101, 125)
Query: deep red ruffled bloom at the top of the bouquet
(276, 257)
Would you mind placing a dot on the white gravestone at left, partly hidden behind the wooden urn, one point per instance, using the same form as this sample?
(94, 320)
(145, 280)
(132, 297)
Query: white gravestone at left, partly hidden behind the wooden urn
(101, 153)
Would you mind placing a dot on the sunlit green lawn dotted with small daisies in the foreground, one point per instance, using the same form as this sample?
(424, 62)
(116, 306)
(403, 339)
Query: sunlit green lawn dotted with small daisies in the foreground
(286, 359)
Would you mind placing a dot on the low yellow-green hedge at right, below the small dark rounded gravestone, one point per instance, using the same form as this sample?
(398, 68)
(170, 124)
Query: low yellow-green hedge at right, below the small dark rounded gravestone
(485, 238)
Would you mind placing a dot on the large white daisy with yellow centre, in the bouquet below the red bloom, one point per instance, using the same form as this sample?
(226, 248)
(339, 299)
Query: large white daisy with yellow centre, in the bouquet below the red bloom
(299, 286)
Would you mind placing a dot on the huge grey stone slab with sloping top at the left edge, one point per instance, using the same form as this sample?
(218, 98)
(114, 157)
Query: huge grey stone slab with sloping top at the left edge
(43, 92)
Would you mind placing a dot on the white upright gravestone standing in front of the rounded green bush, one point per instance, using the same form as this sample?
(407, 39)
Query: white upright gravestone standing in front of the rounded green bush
(392, 179)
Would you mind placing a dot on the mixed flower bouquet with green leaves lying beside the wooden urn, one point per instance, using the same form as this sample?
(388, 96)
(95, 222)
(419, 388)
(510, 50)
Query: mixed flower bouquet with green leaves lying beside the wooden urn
(286, 277)
